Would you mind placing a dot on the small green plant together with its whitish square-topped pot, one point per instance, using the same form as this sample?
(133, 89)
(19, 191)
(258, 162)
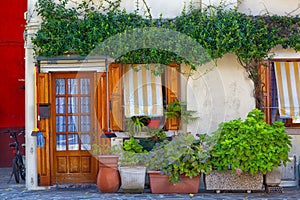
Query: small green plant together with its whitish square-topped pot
(132, 168)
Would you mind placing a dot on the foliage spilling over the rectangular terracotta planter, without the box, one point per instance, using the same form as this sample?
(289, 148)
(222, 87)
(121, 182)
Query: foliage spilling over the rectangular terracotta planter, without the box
(183, 155)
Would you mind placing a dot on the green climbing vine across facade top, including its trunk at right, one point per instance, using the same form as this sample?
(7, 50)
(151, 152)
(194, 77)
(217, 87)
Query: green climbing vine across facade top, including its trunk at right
(79, 29)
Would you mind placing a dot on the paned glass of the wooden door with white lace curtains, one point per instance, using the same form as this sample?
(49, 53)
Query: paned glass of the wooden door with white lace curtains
(67, 128)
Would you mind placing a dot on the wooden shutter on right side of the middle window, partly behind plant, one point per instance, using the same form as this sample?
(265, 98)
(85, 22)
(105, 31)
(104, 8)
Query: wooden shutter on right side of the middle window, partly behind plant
(172, 86)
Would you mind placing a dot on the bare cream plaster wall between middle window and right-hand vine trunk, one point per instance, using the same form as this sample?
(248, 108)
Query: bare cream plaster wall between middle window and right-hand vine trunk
(219, 92)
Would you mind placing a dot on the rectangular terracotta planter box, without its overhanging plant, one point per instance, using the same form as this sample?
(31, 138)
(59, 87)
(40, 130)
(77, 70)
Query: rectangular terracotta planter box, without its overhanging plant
(159, 183)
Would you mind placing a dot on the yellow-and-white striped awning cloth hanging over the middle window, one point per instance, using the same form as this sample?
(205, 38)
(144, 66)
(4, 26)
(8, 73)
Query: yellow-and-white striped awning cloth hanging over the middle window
(142, 92)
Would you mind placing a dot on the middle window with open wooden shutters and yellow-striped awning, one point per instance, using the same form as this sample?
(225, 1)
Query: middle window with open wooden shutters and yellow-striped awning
(135, 91)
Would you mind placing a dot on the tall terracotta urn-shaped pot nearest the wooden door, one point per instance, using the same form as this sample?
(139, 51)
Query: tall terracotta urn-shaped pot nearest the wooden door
(108, 177)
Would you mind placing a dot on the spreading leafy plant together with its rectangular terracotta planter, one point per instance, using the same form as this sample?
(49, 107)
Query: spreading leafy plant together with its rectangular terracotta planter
(175, 166)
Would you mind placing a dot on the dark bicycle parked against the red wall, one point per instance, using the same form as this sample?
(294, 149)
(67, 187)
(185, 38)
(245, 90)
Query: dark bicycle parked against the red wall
(17, 162)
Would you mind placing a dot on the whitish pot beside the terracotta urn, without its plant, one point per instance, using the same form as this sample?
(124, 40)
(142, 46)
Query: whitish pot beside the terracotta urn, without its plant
(133, 178)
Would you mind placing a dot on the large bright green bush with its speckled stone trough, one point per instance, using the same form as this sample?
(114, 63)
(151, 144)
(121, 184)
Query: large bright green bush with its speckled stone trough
(244, 151)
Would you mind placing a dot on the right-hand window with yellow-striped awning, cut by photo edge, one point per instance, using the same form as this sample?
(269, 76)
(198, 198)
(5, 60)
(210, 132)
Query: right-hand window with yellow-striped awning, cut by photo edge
(284, 92)
